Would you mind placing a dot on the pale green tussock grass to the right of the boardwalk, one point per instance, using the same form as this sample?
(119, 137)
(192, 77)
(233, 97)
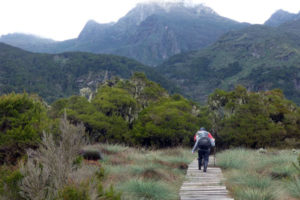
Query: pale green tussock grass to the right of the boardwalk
(252, 175)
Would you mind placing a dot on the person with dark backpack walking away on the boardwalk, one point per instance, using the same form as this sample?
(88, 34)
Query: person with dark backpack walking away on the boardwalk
(204, 141)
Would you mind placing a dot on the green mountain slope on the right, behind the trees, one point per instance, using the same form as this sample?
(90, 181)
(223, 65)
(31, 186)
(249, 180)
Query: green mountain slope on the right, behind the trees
(258, 57)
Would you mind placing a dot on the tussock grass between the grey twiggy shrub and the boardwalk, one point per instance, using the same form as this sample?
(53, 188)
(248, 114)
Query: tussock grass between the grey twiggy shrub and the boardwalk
(145, 174)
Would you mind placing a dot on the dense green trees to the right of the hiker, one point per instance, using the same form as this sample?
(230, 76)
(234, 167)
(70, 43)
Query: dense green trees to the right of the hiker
(262, 119)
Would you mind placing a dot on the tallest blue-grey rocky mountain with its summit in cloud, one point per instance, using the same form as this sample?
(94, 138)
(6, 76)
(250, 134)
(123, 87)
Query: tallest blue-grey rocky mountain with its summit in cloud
(149, 33)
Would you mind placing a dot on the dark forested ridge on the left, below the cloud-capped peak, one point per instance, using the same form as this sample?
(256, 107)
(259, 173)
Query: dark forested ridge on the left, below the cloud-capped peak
(53, 76)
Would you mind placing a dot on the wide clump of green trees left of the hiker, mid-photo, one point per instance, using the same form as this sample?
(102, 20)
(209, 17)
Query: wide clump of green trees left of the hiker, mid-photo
(135, 111)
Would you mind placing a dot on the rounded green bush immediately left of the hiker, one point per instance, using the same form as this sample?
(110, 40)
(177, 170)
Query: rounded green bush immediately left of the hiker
(166, 124)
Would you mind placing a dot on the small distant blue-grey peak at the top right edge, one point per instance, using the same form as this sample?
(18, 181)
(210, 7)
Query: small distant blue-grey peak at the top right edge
(280, 17)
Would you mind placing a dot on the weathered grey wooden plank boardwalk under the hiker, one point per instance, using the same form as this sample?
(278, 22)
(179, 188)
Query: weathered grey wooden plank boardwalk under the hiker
(199, 185)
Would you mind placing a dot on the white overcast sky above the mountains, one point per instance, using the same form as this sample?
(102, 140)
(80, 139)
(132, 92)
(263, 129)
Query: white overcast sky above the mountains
(64, 19)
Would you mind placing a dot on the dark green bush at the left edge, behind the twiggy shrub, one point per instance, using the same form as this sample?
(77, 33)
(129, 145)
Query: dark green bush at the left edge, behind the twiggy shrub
(22, 120)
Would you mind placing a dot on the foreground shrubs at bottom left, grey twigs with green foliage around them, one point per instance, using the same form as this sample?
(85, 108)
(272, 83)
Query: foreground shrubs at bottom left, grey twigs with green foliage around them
(56, 171)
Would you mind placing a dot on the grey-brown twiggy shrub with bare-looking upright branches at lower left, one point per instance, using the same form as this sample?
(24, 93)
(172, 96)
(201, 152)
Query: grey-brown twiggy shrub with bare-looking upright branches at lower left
(48, 169)
